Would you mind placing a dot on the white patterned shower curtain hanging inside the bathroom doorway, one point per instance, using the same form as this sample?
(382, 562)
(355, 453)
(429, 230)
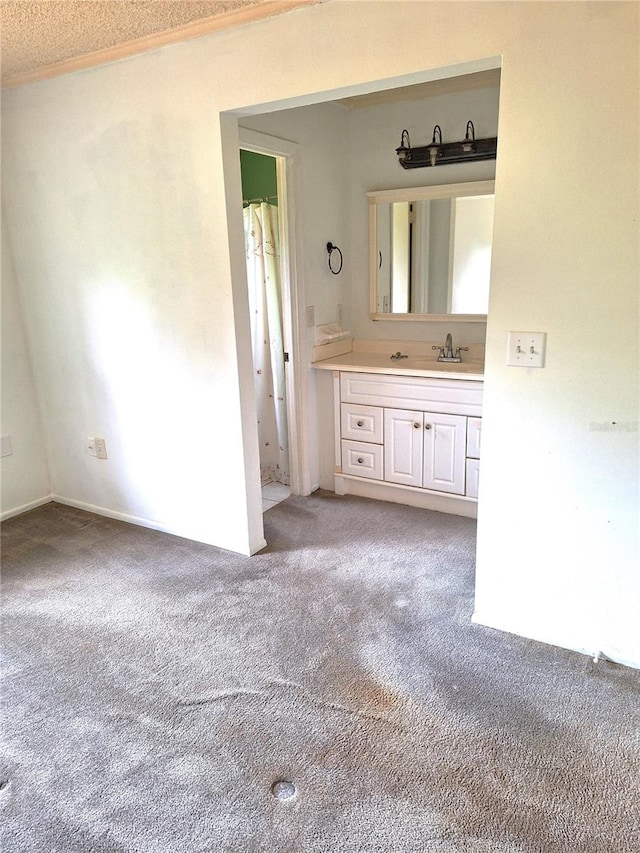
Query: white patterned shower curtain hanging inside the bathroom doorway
(263, 276)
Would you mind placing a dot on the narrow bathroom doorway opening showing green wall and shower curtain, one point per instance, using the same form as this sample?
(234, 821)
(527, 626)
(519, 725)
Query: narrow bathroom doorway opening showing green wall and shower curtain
(264, 236)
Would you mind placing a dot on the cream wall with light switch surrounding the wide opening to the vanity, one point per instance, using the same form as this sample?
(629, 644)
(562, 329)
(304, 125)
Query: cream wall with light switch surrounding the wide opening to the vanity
(116, 210)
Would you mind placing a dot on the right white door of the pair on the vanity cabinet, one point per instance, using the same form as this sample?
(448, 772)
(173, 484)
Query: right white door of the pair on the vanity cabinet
(445, 440)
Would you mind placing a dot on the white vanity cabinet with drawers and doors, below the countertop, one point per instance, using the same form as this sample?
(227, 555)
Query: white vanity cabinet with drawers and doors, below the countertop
(408, 439)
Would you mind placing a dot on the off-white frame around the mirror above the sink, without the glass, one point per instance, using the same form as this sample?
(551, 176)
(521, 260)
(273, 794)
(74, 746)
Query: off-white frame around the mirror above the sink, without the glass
(416, 194)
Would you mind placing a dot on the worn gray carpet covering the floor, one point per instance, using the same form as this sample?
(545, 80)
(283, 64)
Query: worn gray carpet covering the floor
(155, 691)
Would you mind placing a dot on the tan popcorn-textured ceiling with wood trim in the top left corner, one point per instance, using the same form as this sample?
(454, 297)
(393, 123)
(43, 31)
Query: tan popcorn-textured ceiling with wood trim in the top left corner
(36, 35)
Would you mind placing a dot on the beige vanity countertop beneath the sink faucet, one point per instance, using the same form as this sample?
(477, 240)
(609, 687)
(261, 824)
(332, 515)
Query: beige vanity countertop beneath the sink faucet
(414, 365)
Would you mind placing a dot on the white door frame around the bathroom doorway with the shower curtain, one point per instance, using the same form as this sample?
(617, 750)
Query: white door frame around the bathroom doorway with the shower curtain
(285, 153)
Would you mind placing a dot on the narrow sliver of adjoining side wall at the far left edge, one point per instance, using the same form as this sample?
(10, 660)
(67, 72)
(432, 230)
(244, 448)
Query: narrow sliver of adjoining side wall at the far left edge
(24, 474)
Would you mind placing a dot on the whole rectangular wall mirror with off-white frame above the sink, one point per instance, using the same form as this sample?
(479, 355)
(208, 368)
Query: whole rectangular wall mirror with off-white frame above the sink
(430, 252)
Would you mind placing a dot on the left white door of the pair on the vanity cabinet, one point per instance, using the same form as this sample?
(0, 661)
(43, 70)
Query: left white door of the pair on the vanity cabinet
(403, 447)
